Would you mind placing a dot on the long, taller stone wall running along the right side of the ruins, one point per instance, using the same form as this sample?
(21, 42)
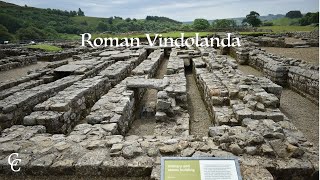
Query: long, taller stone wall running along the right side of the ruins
(296, 74)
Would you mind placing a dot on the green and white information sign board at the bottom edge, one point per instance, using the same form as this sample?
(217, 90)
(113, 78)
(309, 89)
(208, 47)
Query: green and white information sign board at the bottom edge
(199, 168)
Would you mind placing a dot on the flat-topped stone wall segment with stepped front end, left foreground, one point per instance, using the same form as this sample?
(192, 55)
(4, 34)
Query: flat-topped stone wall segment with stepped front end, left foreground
(59, 114)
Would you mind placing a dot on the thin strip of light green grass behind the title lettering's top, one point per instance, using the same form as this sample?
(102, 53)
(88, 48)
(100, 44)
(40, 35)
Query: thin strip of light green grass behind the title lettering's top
(174, 34)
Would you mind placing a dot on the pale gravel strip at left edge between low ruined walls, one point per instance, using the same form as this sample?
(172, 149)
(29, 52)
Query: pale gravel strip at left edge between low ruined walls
(19, 72)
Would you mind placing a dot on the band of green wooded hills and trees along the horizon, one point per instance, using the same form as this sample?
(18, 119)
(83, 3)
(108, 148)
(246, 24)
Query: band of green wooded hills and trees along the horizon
(27, 23)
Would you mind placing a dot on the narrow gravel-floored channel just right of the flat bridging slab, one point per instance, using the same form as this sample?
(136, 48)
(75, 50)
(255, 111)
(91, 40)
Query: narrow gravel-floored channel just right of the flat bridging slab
(200, 120)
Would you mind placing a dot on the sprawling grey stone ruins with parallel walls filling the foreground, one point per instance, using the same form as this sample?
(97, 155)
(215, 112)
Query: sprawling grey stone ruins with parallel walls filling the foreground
(73, 117)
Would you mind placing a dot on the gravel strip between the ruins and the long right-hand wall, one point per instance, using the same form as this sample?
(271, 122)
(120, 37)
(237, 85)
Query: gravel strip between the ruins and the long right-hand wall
(301, 111)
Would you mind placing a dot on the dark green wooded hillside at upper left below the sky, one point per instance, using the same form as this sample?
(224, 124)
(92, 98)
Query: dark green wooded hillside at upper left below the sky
(25, 23)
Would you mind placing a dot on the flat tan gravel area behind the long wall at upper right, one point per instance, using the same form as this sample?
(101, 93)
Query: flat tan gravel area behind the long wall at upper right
(310, 55)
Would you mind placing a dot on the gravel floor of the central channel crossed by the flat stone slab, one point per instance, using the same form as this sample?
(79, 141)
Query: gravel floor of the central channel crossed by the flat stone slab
(146, 126)
